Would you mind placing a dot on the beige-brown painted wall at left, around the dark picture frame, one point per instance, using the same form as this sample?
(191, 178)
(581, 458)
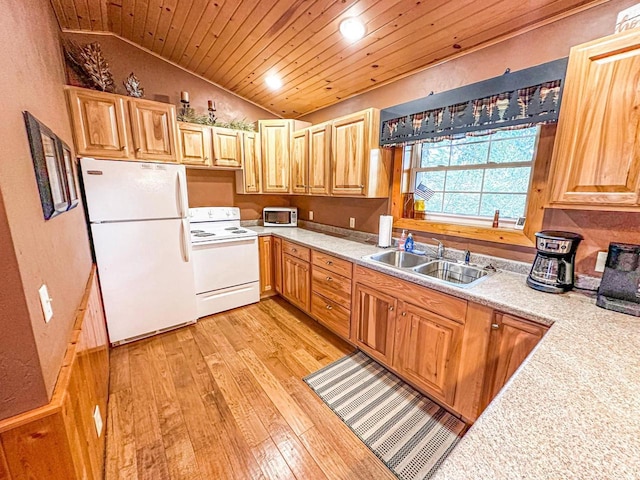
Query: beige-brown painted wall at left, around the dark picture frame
(55, 252)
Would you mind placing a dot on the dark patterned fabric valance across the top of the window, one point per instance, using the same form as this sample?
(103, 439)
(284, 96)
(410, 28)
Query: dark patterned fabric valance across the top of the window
(514, 100)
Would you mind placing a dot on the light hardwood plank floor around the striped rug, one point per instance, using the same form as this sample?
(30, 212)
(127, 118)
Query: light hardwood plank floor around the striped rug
(224, 399)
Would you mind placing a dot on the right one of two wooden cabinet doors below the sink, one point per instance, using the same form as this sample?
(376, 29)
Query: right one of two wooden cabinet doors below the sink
(428, 350)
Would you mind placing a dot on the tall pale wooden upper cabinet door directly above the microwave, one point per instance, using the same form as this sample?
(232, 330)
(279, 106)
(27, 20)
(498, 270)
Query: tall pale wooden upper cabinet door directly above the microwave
(275, 137)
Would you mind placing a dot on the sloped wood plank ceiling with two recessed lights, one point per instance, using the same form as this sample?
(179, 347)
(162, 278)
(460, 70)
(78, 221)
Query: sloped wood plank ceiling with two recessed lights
(236, 43)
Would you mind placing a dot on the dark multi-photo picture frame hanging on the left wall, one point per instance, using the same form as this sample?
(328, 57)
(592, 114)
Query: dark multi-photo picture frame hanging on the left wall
(53, 165)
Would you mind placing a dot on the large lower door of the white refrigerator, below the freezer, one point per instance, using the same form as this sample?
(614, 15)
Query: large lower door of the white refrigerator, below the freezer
(146, 275)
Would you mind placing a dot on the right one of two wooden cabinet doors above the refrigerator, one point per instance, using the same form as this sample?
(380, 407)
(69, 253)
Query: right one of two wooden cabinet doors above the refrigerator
(153, 125)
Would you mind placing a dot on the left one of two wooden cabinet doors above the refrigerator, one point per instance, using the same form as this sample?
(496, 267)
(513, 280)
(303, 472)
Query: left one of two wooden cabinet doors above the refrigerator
(99, 124)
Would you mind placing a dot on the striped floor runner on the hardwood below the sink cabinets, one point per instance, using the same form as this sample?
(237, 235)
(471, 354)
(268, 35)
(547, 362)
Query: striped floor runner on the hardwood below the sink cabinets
(409, 433)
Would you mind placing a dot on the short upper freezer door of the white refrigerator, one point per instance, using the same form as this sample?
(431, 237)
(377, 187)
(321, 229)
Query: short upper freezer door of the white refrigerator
(117, 190)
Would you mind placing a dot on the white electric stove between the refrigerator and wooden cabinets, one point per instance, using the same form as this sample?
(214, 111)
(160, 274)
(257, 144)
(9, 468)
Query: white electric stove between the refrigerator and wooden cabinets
(225, 260)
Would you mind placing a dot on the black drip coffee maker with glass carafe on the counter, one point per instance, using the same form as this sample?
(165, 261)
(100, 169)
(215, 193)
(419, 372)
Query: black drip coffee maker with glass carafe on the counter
(553, 267)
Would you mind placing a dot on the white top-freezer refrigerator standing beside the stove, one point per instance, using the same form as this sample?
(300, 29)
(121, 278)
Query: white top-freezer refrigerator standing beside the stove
(140, 233)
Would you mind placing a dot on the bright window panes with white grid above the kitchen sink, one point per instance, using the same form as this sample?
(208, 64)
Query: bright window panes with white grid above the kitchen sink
(474, 176)
